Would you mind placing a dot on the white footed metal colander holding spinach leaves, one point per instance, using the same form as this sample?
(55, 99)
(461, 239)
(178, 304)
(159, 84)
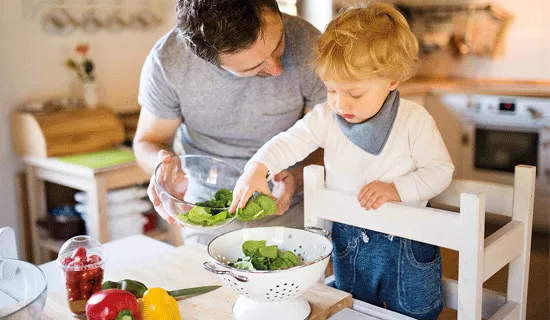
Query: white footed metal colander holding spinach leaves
(274, 294)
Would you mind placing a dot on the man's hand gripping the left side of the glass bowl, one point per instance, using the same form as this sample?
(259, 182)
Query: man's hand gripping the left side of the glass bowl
(177, 184)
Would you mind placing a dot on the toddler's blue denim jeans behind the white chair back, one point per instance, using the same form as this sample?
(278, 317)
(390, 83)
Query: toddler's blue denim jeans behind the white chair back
(400, 274)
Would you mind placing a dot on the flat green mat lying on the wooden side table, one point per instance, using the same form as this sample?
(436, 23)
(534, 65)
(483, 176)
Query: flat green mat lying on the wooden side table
(100, 159)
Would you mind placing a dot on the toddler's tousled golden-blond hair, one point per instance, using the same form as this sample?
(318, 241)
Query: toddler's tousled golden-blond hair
(367, 41)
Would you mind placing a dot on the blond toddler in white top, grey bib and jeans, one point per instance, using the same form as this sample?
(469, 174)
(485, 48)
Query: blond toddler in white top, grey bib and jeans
(376, 145)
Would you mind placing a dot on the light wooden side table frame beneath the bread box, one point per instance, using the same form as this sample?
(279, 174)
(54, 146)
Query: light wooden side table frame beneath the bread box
(95, 182)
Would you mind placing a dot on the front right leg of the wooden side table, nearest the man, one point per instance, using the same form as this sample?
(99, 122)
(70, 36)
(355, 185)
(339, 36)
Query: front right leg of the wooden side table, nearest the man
(97, 215)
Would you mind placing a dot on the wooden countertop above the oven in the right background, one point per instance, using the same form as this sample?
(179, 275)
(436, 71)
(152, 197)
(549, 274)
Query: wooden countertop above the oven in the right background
(422, 86)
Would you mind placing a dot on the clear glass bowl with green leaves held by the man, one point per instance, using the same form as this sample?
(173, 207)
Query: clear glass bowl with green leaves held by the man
(193, 180)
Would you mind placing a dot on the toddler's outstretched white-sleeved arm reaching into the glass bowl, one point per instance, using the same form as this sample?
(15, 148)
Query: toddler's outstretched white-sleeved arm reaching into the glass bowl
(281, 152)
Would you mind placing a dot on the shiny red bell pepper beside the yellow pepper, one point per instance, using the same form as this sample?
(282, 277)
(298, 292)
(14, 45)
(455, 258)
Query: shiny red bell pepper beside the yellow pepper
(112, 304)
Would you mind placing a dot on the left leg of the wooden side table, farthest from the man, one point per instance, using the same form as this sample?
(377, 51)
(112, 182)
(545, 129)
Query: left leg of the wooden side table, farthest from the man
(36, 192)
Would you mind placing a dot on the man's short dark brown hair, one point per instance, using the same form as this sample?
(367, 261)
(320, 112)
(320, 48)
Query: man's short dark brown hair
(211, 27)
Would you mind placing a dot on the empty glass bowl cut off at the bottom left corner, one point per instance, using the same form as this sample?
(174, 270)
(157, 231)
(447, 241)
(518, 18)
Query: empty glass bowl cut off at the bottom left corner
(23, 290)
